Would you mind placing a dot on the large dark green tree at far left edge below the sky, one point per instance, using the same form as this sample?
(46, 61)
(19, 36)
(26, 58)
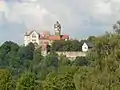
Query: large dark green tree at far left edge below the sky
(9, 56)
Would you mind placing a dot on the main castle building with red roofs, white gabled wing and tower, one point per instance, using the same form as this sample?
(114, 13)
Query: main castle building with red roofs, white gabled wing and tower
(45, 38)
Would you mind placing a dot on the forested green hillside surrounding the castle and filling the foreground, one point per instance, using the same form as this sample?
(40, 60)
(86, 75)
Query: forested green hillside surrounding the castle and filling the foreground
(24, 68)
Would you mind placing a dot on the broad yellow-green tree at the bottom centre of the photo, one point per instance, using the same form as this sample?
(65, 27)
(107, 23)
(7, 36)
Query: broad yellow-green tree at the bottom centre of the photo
(63, 80)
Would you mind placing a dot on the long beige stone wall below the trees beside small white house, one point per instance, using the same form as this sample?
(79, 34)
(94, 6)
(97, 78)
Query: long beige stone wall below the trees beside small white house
(72, 55)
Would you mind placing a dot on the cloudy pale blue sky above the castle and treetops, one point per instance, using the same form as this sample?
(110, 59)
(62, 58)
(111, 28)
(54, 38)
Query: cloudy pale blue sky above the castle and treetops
(79, 18)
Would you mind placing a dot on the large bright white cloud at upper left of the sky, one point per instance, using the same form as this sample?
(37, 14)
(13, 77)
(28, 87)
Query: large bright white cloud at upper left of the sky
(29, 13)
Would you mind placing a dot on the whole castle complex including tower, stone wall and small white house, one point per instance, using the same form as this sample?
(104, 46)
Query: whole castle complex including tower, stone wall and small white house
(45, 39)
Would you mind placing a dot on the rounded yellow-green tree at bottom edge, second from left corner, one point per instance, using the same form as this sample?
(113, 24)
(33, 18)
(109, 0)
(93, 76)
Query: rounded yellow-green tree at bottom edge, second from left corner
(26, 81)
